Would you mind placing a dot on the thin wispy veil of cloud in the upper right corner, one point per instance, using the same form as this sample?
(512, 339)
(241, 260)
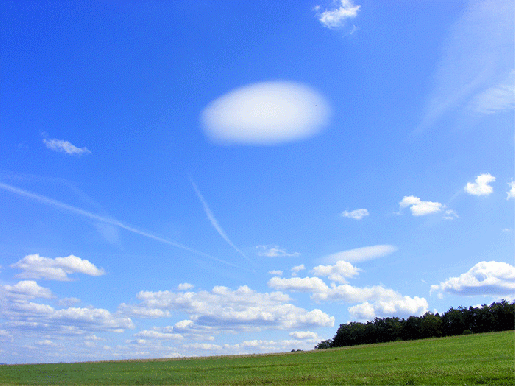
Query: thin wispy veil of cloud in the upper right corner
(476, 65)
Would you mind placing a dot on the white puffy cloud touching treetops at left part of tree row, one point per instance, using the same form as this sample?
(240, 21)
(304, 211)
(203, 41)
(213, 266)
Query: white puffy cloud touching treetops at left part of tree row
(404, 306)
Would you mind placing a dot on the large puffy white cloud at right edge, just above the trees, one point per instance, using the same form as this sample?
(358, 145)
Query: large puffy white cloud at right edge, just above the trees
(484, 278)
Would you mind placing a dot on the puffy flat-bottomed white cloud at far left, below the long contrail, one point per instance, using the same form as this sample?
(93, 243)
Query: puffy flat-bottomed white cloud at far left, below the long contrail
(37, 267)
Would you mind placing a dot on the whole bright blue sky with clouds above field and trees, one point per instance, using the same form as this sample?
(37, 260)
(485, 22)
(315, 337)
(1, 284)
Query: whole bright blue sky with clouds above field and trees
(195, 178)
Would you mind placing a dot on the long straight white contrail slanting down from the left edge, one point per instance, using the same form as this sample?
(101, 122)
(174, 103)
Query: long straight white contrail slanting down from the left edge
(111, 221)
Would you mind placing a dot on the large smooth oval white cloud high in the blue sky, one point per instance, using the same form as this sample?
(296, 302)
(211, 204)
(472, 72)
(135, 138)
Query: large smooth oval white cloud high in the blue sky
(266, 113)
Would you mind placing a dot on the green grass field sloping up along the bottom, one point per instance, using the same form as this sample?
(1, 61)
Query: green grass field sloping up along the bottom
(480, 359)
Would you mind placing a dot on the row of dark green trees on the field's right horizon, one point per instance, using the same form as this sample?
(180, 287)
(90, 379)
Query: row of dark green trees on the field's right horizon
(498, 316)
